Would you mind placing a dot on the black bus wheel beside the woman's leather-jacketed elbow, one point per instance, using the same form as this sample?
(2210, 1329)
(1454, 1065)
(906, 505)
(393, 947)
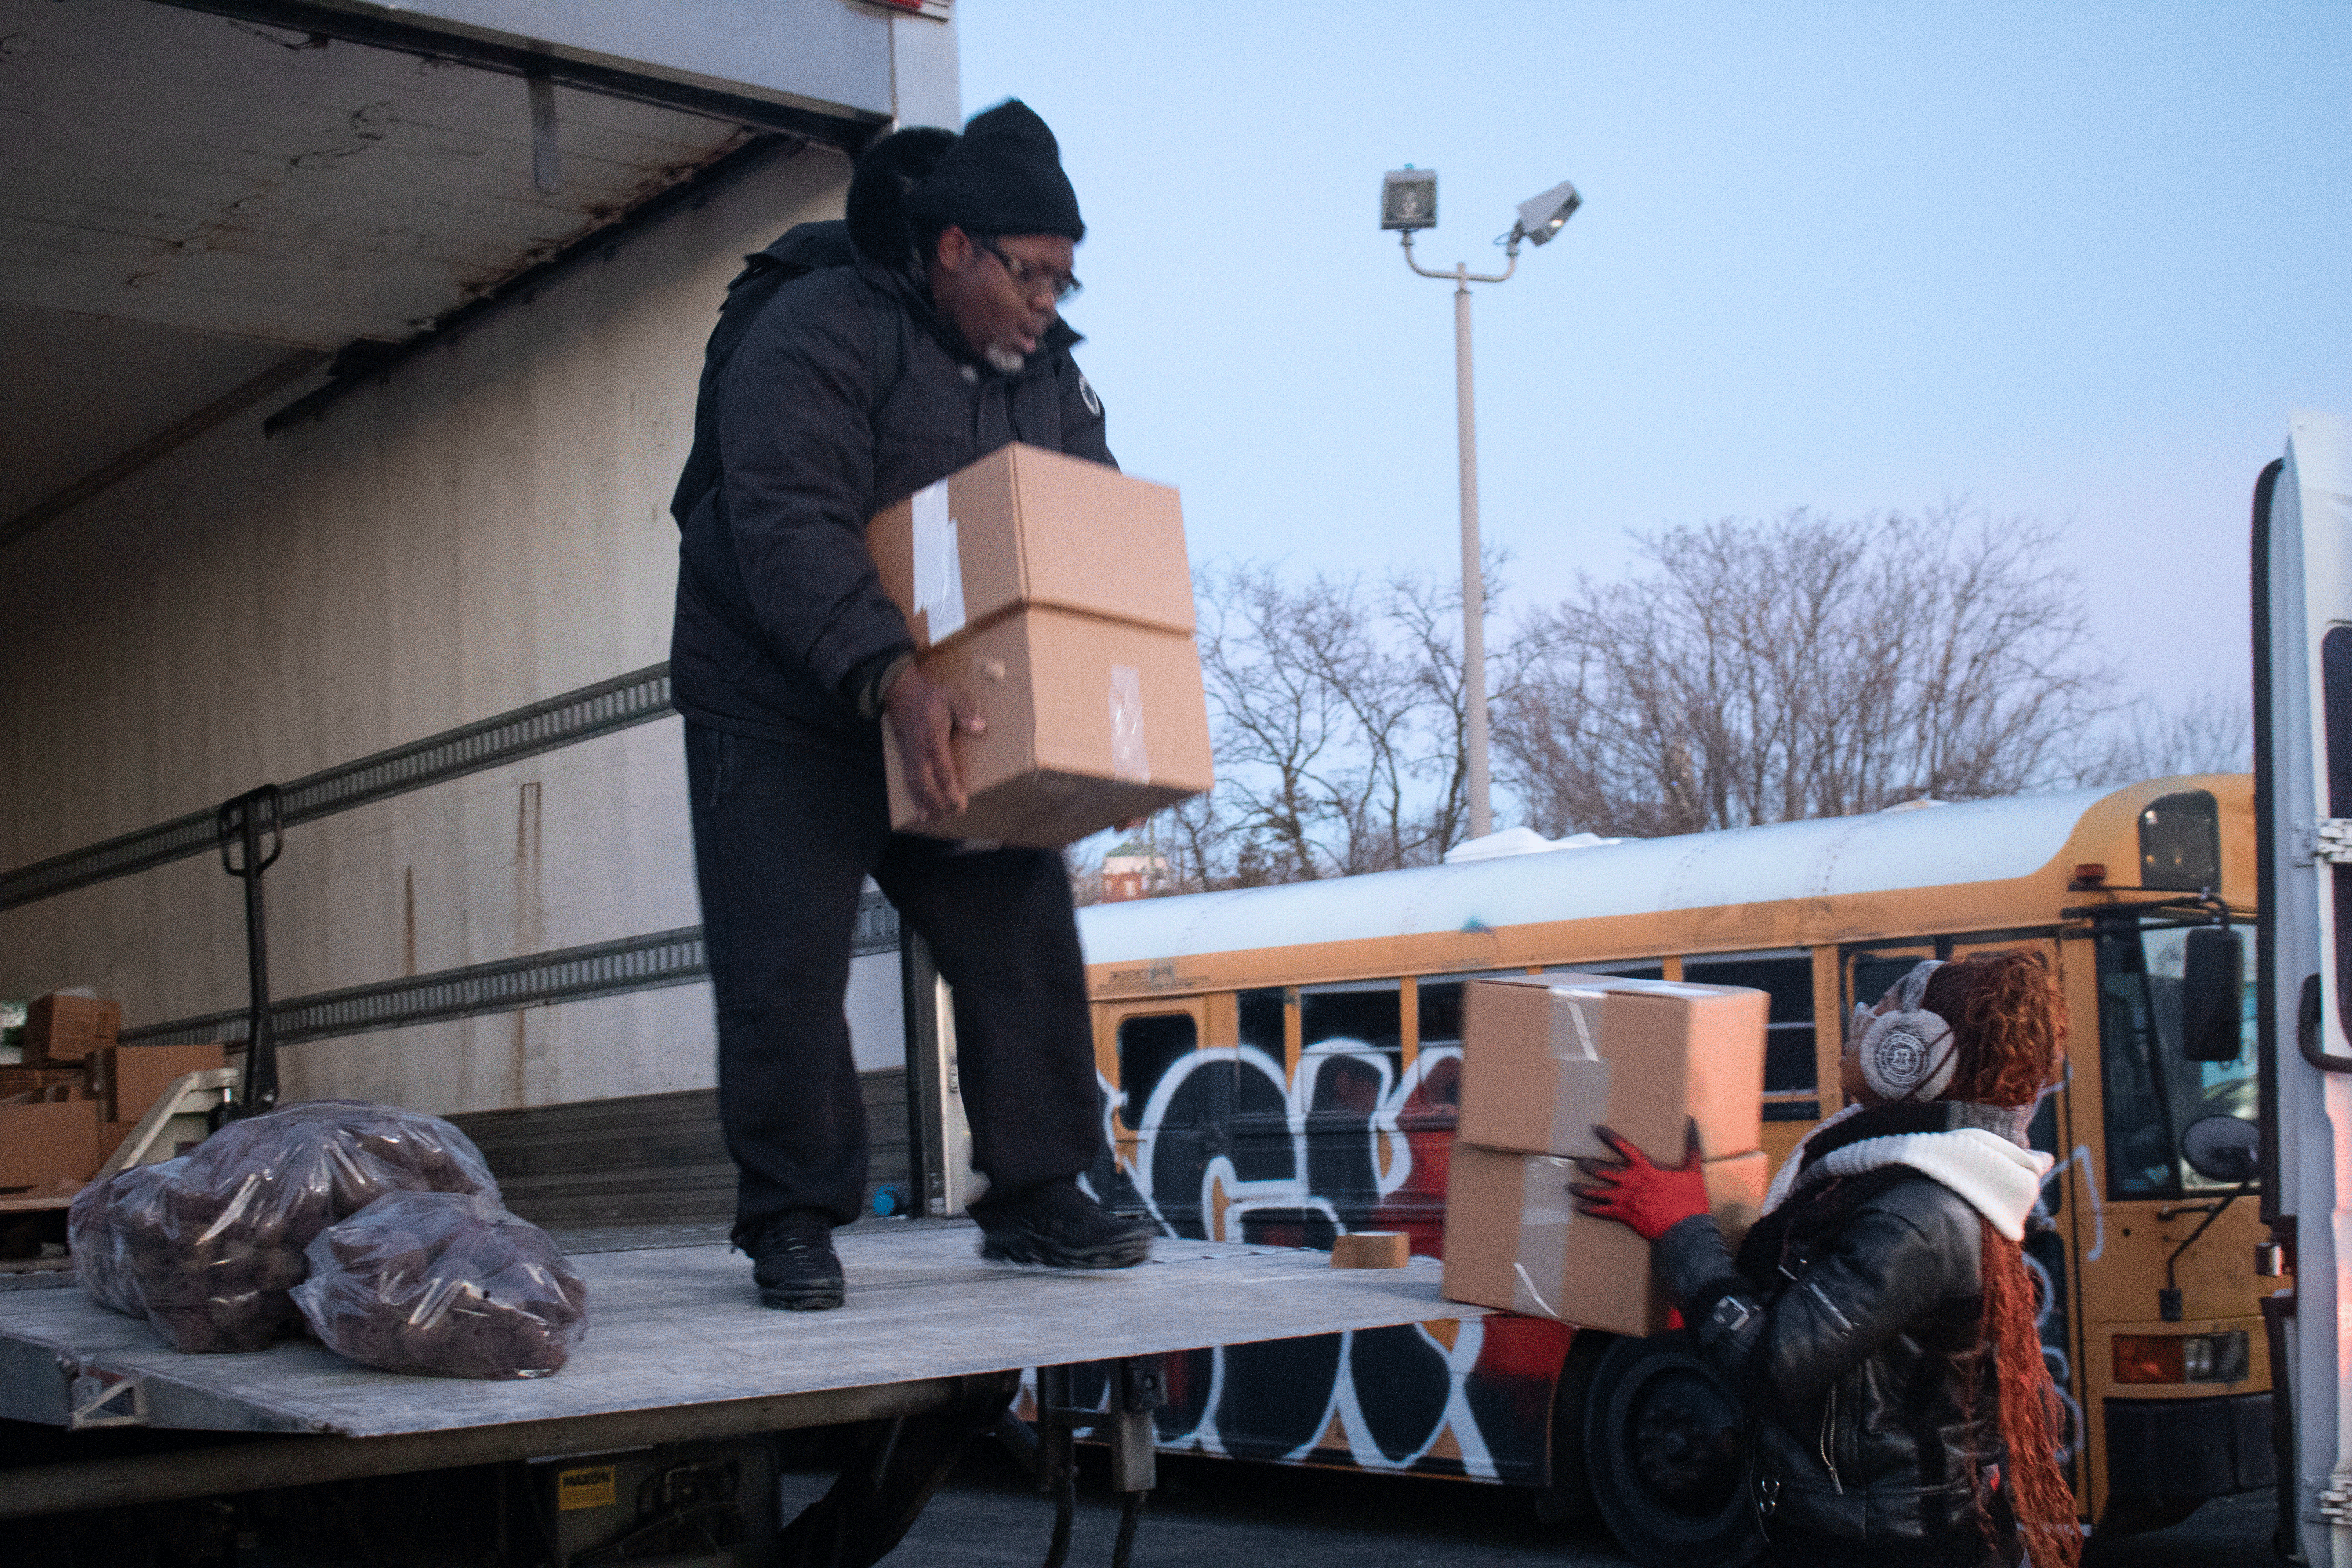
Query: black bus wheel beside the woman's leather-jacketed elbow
(1664, 1454)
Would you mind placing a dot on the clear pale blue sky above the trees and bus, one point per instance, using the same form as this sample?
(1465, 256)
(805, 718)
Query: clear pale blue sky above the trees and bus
(2064, 260)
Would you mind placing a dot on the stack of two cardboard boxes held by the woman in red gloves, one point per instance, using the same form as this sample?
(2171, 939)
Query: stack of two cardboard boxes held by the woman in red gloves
(1544, 1061)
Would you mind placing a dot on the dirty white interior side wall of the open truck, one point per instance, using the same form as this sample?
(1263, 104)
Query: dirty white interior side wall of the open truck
(481, 530)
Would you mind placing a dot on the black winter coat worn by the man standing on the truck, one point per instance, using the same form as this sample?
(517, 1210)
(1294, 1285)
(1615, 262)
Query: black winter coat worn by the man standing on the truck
(843, 398)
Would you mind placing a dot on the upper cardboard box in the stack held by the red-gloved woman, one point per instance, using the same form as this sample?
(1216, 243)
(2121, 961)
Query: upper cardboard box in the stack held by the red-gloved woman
(1549, 1057)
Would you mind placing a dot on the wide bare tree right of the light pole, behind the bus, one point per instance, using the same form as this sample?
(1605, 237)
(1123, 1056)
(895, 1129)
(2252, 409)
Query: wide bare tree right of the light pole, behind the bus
(1803, 666)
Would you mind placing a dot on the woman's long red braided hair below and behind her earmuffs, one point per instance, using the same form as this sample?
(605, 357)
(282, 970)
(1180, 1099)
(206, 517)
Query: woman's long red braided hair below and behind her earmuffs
(2007, 1021)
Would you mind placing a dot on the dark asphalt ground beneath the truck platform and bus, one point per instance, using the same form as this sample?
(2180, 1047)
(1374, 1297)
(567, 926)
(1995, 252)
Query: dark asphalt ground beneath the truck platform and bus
(1224, 1515)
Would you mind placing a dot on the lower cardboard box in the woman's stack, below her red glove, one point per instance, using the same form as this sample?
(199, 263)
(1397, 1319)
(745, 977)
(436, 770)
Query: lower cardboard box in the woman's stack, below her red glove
(1516, 1240)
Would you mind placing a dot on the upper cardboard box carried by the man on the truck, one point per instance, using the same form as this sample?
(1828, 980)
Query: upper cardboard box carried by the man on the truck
(1027, 525)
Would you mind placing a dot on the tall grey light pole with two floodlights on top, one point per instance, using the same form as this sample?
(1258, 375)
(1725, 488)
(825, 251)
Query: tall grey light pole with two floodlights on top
(1408, 203)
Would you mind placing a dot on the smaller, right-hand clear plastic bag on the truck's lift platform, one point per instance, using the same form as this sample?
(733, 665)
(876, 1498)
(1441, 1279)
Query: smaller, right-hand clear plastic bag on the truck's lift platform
(443, 1285)
